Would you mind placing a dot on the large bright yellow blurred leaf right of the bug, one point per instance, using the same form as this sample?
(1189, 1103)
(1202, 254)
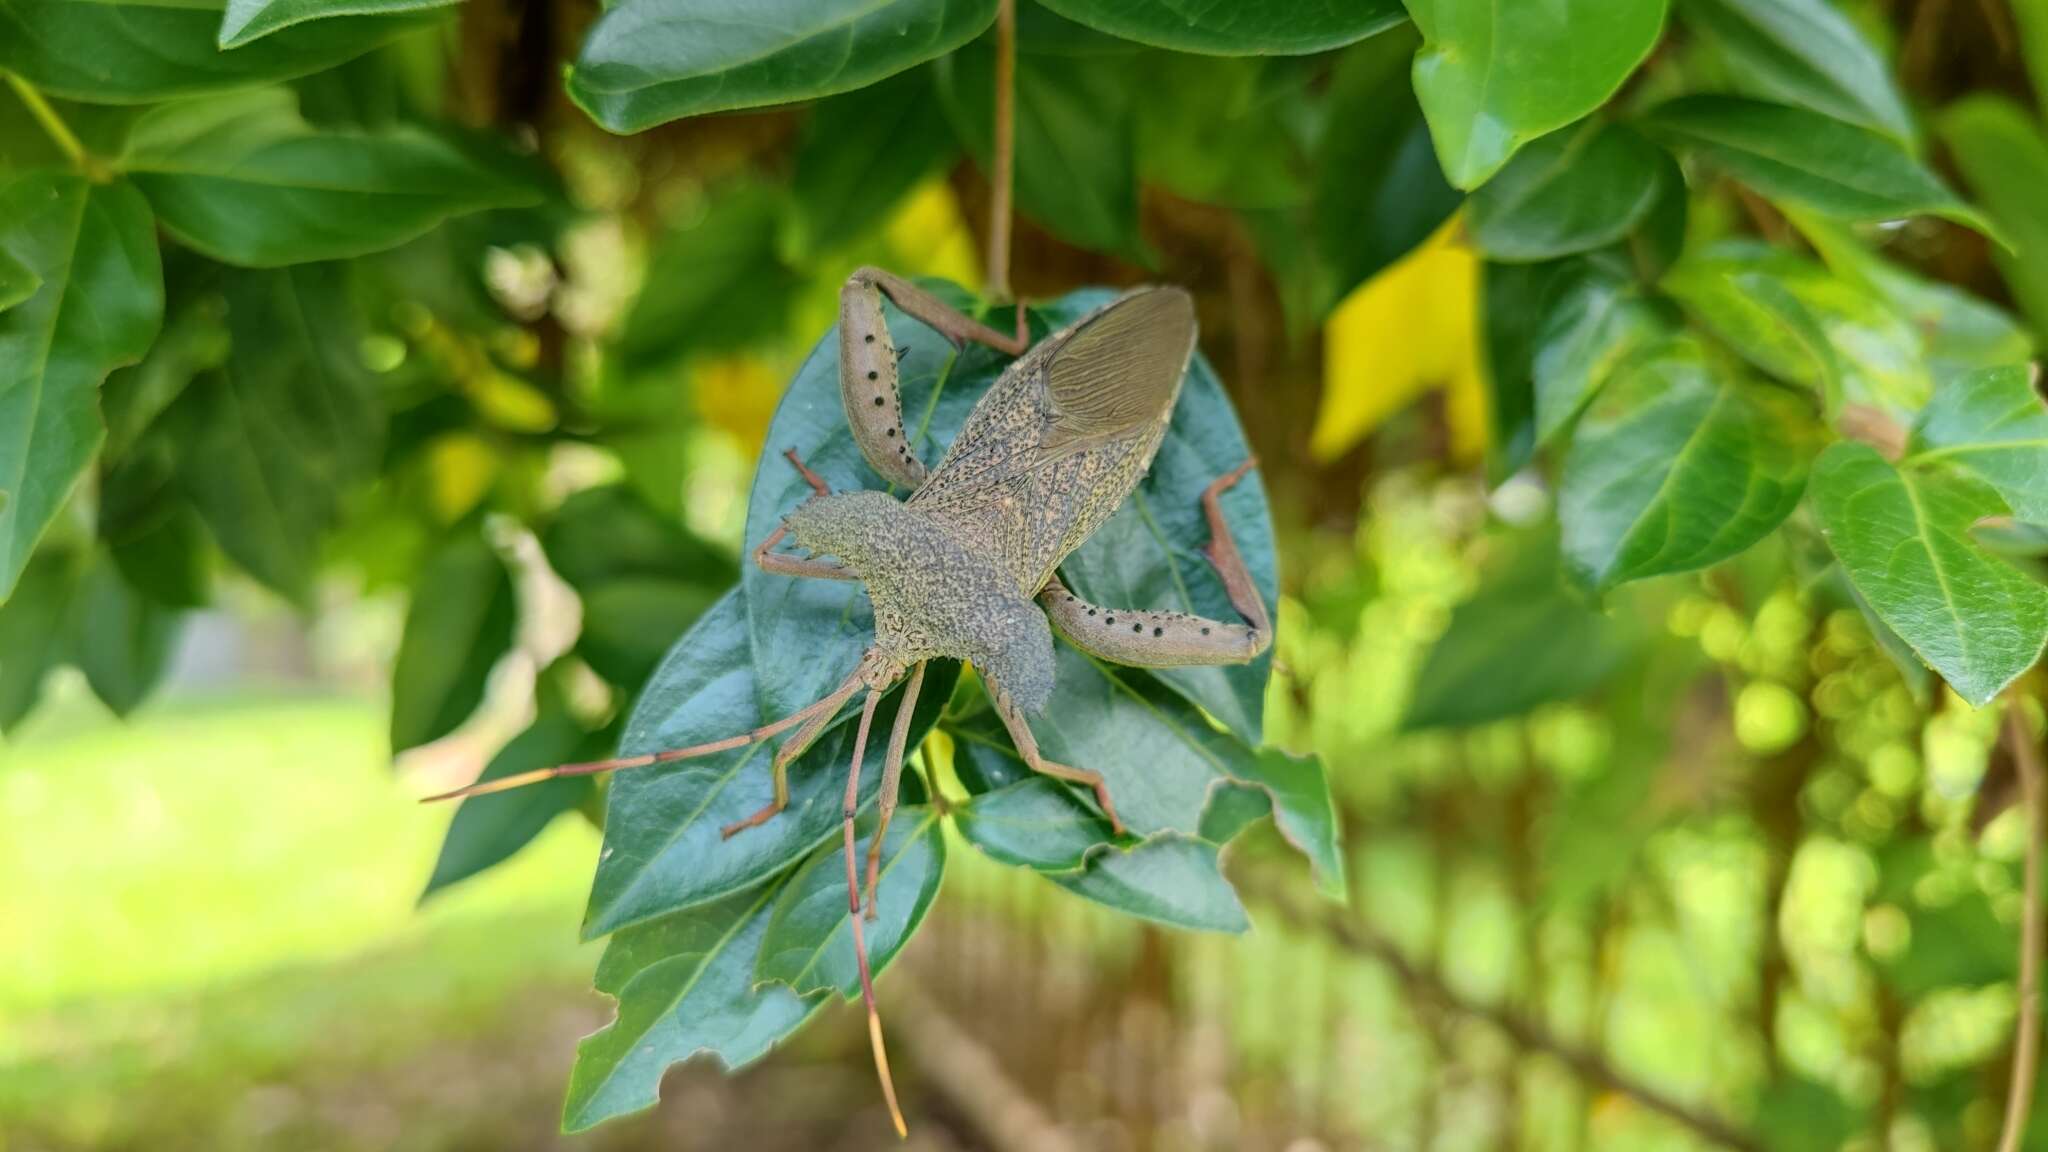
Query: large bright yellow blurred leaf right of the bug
(1402, 335)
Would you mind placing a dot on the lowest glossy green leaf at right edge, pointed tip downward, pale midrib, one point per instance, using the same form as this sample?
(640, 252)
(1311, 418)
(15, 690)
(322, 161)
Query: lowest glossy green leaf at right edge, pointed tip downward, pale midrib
(1904, 536)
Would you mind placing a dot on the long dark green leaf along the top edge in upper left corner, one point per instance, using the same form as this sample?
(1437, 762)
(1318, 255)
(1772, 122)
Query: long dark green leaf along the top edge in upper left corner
(134, 52)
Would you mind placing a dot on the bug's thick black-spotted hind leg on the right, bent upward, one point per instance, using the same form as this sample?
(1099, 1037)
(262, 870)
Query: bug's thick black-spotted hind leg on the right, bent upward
(1166, 641)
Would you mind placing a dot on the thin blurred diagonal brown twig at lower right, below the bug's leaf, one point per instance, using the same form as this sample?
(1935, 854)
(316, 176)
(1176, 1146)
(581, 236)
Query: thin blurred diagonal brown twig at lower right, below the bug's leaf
(1357, 938)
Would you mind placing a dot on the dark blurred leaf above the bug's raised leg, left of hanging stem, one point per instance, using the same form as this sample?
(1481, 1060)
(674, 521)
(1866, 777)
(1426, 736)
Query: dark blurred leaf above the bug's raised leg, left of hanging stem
(859, 157)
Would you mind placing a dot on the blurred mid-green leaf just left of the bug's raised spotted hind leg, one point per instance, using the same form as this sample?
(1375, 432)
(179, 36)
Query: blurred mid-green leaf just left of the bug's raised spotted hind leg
(714, 284)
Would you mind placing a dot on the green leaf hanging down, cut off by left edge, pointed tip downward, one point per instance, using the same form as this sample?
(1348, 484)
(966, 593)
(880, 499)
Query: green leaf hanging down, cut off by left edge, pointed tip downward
(97, 308)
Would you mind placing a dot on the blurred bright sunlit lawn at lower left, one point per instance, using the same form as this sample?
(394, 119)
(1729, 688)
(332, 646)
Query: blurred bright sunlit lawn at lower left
(216, 901)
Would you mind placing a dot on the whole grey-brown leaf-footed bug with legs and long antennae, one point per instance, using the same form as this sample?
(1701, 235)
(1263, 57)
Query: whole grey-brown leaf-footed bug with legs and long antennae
(966, 569)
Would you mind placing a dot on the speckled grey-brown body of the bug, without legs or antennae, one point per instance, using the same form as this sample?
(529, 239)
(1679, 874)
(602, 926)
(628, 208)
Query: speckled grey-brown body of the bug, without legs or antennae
(1043, 460)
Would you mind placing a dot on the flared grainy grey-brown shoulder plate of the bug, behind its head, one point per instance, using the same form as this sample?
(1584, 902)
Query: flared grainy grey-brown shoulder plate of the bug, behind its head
(935, 595)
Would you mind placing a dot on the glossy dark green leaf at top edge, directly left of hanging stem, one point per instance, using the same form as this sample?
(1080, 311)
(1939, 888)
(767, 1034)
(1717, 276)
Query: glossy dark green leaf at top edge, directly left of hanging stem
(648, 63)
